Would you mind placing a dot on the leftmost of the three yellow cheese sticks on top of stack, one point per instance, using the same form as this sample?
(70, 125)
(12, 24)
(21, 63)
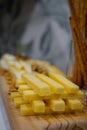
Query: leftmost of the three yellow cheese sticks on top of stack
(40, 87)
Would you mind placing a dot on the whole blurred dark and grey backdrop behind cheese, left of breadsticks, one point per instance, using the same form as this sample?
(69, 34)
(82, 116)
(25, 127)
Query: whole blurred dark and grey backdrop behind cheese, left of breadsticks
(37, 29)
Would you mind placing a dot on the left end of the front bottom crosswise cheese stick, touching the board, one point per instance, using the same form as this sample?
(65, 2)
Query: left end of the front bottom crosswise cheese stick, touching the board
(26, 110)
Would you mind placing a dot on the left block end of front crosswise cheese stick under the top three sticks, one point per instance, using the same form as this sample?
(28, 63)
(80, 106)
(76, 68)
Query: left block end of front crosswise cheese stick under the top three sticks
(30, 95)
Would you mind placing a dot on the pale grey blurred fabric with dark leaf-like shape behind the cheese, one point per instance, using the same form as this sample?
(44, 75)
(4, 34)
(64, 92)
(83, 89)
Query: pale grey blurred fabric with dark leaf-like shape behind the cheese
(49, 31)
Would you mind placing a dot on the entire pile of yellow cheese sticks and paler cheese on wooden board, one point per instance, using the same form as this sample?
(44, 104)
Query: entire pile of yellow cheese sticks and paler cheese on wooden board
(36, 93)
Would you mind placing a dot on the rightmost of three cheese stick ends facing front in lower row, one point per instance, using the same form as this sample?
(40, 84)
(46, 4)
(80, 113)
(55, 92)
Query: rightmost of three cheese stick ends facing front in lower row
(74, 104)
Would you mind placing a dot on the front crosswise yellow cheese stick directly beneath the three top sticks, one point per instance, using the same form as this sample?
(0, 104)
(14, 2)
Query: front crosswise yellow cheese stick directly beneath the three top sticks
(30, 95)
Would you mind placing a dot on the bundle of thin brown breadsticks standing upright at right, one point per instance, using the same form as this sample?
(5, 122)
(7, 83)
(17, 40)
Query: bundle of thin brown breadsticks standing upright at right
(79, 31)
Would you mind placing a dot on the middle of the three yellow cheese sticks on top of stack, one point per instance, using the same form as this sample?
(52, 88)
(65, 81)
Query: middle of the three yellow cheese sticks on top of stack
(55, 87)
